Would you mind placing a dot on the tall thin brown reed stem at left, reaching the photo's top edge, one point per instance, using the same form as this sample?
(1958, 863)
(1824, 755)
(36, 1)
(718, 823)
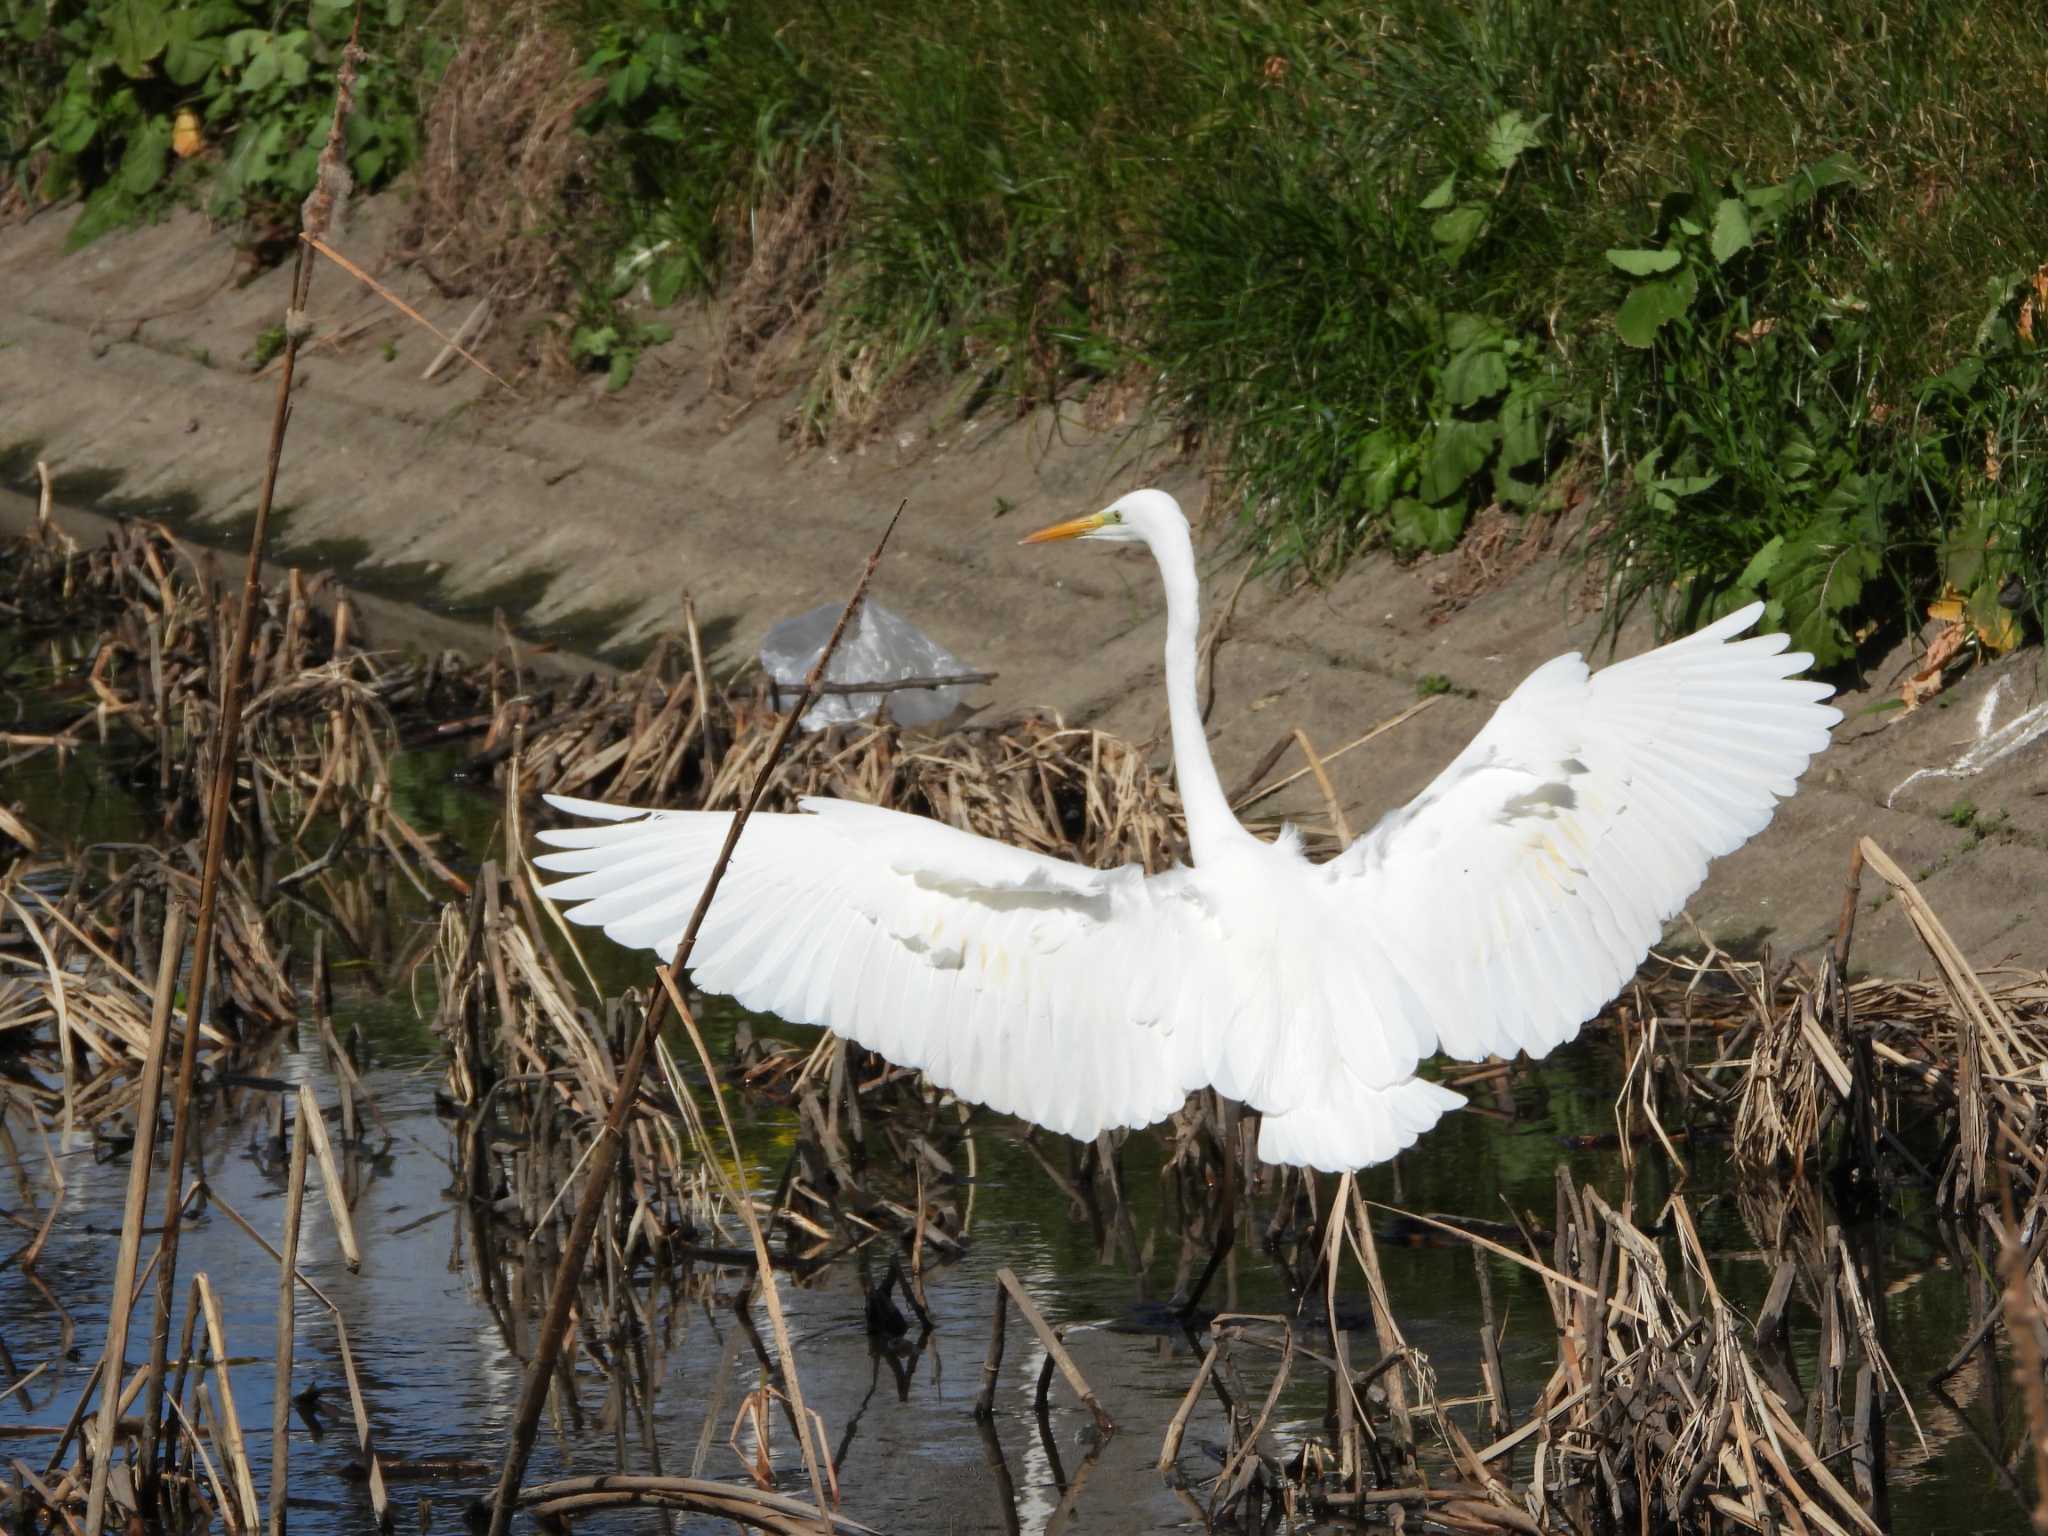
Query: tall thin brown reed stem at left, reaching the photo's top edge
(226, 751)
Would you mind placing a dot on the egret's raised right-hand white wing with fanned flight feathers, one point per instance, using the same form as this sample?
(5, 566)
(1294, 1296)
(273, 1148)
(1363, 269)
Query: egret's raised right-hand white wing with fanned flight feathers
(1525, 886)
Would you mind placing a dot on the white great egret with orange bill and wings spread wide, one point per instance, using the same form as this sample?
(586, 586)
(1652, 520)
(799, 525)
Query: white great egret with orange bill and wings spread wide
(1492, 914)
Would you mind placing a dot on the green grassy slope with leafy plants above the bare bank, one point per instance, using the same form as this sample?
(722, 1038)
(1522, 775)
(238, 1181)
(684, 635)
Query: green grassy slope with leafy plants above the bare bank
(1394, 263)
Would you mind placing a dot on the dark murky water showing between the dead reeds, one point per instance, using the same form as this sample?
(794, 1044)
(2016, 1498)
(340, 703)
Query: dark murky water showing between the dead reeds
(441, 1373)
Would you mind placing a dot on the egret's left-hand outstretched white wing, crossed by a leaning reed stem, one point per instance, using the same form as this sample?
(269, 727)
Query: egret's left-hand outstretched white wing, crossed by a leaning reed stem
(1015, 980)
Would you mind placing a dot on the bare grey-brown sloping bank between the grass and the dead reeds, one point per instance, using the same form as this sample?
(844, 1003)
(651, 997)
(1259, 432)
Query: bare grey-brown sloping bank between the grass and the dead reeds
(591, 515)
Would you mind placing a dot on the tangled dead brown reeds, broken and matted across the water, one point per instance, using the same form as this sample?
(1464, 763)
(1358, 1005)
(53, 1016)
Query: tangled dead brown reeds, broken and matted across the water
(1668, 1406)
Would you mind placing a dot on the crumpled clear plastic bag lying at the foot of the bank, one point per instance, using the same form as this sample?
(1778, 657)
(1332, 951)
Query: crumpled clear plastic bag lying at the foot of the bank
(878, 648)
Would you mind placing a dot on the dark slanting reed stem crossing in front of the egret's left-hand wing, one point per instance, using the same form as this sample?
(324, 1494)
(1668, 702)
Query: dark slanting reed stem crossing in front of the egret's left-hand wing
(597, 1181)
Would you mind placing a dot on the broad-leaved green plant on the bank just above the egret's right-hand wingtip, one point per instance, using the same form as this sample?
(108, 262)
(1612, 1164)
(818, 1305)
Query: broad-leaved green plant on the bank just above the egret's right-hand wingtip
(1766, 472)
